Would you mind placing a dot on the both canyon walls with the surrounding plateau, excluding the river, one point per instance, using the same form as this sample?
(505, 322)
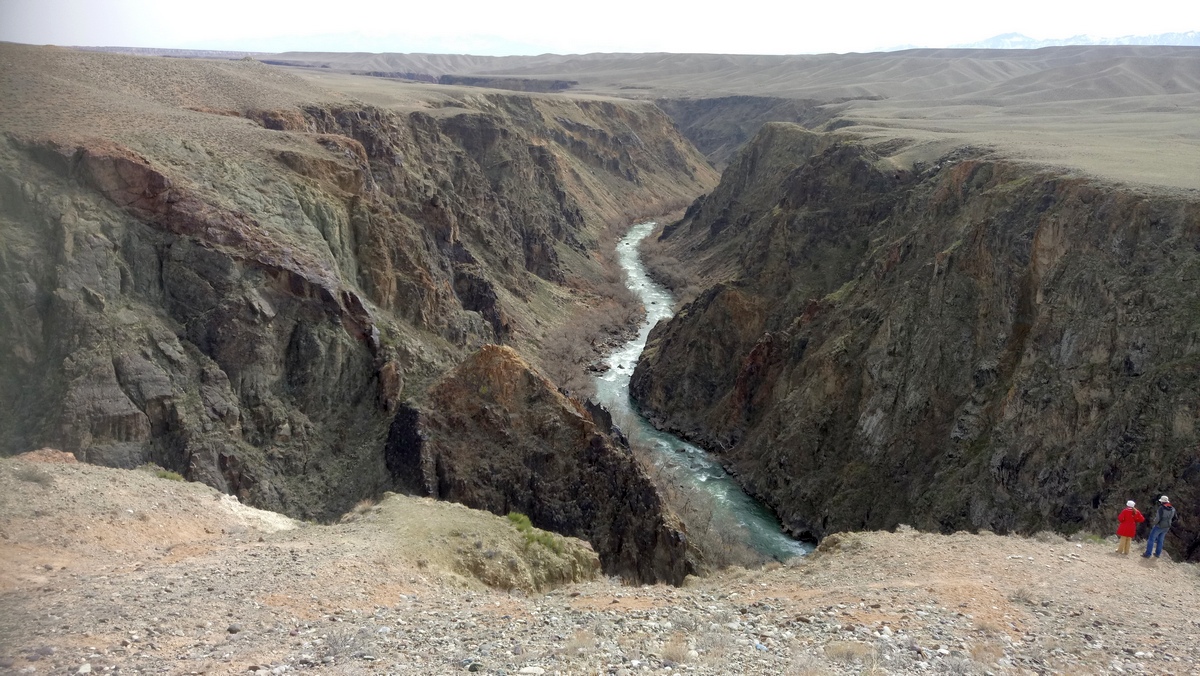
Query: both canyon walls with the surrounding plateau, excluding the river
(949, 289)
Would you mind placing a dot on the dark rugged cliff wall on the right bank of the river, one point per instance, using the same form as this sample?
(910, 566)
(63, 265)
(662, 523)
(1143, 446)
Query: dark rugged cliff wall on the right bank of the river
(971, 345)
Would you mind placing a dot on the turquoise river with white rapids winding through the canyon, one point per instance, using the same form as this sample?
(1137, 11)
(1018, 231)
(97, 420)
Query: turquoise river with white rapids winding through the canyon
(685, 462)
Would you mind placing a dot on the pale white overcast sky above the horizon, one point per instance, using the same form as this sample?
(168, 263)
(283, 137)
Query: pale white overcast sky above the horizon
(566, 27)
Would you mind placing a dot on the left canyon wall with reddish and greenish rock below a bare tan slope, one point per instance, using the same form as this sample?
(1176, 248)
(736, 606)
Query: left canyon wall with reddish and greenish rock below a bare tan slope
(241, 276)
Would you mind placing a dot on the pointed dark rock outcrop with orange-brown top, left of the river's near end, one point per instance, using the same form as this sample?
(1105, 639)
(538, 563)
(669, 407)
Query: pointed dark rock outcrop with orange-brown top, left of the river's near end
(496, 435)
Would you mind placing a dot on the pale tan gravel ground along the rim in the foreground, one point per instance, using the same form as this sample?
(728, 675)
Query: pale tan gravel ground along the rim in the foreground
(119, 572)
